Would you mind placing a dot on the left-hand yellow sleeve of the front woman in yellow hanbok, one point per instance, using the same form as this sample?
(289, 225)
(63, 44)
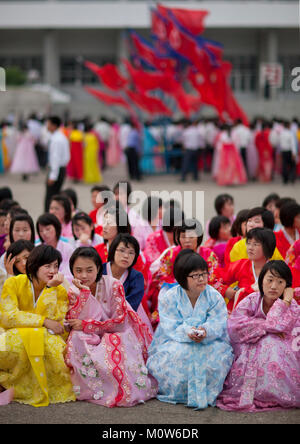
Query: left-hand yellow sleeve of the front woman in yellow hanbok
(10, 315)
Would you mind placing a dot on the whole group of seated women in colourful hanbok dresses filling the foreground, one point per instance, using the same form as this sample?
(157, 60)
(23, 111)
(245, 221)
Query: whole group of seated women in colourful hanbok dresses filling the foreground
(93, 317)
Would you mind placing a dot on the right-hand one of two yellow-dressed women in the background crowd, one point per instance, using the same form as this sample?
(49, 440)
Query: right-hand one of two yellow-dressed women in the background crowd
(91, 168)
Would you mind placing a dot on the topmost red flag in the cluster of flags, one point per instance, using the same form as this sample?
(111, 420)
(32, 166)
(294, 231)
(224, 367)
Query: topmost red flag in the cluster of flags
(191, 19)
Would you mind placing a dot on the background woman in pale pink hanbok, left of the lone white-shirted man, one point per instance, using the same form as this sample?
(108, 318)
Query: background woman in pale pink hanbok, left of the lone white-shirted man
(25, 160)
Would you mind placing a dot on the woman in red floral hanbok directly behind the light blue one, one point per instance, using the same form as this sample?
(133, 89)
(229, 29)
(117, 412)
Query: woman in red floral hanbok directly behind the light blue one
(187, 235)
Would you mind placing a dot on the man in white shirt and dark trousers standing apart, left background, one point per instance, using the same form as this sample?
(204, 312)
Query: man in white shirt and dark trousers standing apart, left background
(58, 159)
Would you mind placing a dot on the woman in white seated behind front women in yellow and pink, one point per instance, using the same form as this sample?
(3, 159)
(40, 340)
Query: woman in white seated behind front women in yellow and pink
(49, 230)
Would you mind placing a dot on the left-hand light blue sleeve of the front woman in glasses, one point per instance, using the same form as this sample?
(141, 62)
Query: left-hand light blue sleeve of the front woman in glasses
(171, 320)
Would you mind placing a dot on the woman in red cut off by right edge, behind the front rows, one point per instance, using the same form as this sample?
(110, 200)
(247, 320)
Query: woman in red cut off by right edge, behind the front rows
(290, 219)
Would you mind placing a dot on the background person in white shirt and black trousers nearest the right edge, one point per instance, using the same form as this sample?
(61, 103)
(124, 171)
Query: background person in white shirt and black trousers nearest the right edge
(288, 150)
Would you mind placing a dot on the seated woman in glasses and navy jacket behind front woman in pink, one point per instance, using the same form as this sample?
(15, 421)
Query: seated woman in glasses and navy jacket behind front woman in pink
(122, 256)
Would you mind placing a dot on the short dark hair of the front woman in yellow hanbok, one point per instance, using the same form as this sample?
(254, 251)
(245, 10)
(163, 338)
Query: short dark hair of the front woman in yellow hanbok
(39, 256)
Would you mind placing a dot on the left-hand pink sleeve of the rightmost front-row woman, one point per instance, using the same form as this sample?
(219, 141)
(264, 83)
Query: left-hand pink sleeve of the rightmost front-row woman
(243, 326)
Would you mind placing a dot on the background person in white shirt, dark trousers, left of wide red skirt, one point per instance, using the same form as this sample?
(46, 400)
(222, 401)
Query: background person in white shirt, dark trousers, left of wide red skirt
(190, 141)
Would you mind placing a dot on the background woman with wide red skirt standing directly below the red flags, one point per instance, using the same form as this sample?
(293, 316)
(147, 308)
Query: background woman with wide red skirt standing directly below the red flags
(229, 168)
